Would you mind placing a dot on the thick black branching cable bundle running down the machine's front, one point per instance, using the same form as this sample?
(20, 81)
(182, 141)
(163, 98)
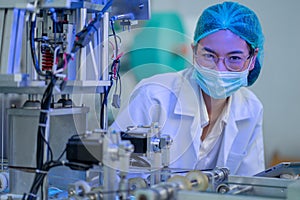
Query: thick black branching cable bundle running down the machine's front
(46, 103)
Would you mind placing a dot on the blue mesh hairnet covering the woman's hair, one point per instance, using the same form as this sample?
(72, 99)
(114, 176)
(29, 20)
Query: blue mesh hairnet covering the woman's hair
(238, 19)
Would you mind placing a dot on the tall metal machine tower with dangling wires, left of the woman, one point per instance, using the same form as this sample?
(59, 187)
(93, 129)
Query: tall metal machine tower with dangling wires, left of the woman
(53, 55)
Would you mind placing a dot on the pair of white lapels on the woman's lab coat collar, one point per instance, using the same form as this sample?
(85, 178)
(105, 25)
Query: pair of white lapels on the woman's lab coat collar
(239, 109)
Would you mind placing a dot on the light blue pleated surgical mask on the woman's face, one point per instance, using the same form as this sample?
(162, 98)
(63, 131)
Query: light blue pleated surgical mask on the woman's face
(219, 84)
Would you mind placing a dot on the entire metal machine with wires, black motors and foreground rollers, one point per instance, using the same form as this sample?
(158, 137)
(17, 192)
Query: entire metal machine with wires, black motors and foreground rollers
(58, 61)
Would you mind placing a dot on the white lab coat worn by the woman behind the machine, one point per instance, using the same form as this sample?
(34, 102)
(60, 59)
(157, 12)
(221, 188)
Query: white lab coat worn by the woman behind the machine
(173, 100)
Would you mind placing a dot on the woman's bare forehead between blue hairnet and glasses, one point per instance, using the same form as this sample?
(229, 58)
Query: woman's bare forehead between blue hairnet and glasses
(224, 41)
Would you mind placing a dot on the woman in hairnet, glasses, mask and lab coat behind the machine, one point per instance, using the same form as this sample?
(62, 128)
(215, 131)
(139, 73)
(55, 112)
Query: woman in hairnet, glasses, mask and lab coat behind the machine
(214, 120)
